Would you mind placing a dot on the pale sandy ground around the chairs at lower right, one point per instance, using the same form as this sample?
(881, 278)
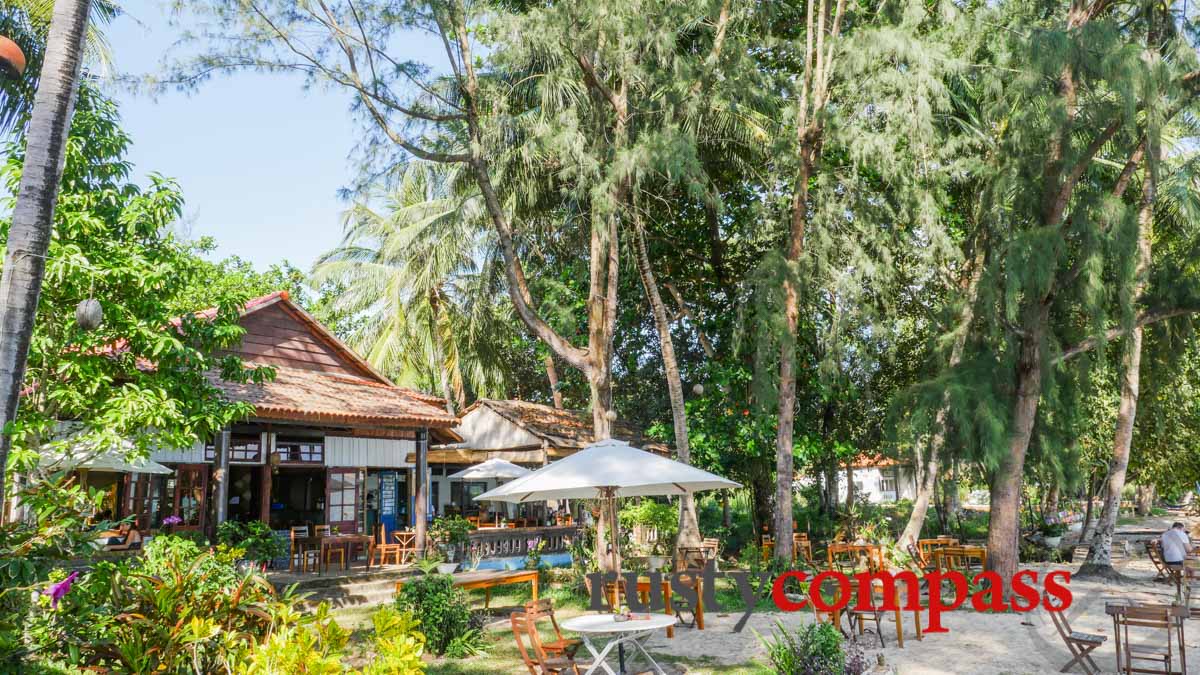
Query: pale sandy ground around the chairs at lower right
(986, 644)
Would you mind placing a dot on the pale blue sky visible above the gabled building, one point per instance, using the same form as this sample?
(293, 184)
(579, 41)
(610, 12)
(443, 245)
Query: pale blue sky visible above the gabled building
(259, 158)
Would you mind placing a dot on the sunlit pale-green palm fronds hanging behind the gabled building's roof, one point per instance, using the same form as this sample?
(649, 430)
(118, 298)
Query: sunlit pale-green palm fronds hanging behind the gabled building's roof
(424, 274)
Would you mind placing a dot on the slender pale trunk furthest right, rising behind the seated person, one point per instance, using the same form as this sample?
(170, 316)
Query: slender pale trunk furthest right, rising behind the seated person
(1100, 553)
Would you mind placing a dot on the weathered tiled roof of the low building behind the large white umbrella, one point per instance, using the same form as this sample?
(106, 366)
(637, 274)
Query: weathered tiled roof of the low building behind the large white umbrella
(563, 428)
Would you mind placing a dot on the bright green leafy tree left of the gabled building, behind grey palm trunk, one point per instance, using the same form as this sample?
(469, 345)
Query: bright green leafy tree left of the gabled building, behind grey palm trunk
(143, 379)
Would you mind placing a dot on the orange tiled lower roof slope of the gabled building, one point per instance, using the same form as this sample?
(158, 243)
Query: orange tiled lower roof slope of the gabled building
(320, 397)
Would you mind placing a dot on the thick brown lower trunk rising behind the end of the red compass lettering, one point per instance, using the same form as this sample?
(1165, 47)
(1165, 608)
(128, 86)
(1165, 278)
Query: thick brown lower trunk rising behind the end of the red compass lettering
(1004, 529)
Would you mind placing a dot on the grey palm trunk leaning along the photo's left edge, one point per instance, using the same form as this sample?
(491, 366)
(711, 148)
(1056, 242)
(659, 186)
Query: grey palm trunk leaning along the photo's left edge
(33, 218)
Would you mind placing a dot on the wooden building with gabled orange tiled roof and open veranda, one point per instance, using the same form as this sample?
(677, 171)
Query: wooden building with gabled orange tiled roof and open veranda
(332, 440)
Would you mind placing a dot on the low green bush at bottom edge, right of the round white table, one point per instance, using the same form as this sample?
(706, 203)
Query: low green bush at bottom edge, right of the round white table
(815, 649)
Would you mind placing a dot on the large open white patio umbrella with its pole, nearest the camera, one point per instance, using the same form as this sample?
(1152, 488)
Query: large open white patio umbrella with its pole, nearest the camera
(608, 470)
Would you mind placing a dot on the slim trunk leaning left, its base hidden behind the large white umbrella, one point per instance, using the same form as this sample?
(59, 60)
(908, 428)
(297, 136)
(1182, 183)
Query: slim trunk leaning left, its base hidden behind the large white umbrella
(689, 525)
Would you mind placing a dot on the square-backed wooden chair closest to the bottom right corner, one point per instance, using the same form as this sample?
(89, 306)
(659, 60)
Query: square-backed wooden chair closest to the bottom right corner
(1157, 619)
